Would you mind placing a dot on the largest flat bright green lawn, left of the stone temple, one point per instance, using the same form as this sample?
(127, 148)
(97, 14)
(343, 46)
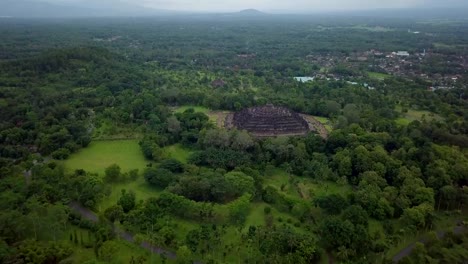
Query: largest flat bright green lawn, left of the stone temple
(100, 154)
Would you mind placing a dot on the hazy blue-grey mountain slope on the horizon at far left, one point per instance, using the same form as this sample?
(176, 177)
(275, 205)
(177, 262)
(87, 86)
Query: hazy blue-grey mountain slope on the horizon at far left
(84, 8)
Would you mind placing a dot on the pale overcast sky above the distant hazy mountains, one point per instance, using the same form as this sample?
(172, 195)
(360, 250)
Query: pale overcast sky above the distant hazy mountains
(271, 5)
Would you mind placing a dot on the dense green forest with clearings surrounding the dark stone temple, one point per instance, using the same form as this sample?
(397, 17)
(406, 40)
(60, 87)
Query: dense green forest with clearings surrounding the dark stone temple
(111, 148)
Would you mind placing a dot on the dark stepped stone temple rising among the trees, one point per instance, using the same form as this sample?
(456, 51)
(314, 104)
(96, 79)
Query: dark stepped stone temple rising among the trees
(269, 121)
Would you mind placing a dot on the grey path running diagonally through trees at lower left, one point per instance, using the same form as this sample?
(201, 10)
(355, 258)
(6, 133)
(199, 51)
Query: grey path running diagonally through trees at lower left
(88, 214)
